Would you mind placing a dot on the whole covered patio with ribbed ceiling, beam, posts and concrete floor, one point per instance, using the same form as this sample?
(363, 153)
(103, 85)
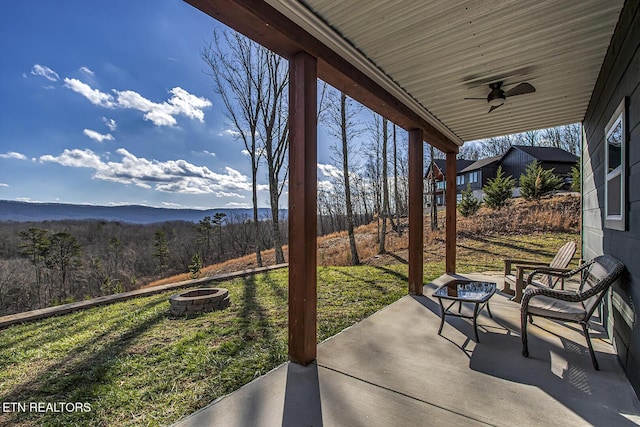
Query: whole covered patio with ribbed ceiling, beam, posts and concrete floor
(416, 63)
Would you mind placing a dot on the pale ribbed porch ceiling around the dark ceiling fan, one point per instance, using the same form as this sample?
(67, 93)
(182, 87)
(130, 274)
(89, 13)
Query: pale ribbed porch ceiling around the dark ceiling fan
(433, 54)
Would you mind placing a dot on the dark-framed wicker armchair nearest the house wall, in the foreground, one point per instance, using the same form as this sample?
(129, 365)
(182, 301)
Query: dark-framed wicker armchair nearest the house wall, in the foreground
(596, 276)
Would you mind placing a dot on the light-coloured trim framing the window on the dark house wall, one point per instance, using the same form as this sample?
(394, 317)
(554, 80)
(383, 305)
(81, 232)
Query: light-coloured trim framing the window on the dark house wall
(616, 222)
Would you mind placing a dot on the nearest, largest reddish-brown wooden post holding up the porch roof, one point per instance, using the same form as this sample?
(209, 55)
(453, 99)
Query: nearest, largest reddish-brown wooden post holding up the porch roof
(302, 208)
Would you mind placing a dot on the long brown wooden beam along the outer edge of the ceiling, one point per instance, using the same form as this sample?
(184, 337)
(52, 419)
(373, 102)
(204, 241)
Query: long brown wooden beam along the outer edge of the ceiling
(262, 23)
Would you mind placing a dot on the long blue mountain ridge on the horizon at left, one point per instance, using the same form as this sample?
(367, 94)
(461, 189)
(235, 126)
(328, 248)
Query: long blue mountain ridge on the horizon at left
(135, 214)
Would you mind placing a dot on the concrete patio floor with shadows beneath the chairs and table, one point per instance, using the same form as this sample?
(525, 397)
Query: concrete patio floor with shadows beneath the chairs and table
(392, 369)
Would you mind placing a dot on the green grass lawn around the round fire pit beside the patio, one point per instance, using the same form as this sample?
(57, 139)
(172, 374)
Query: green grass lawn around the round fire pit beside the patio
(135, 365)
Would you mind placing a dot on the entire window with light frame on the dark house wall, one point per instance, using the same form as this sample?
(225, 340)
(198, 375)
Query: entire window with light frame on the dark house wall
(615, 164)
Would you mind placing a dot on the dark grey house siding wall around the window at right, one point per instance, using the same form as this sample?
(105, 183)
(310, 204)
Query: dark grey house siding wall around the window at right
(619, 78)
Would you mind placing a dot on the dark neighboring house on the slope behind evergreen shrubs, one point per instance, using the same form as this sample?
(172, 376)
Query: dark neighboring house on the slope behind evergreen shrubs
(514, 162)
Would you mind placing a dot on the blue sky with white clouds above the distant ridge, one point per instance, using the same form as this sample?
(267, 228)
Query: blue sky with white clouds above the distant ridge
(107, 103)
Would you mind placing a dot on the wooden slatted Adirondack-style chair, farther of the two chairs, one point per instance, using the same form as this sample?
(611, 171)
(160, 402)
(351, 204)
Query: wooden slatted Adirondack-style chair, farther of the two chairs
(518, 277)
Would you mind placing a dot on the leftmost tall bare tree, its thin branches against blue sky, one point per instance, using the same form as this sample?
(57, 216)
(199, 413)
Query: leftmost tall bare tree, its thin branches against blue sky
(239, 71)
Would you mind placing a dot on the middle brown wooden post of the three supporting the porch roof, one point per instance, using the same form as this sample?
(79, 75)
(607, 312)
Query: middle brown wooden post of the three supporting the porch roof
(416, 217)
